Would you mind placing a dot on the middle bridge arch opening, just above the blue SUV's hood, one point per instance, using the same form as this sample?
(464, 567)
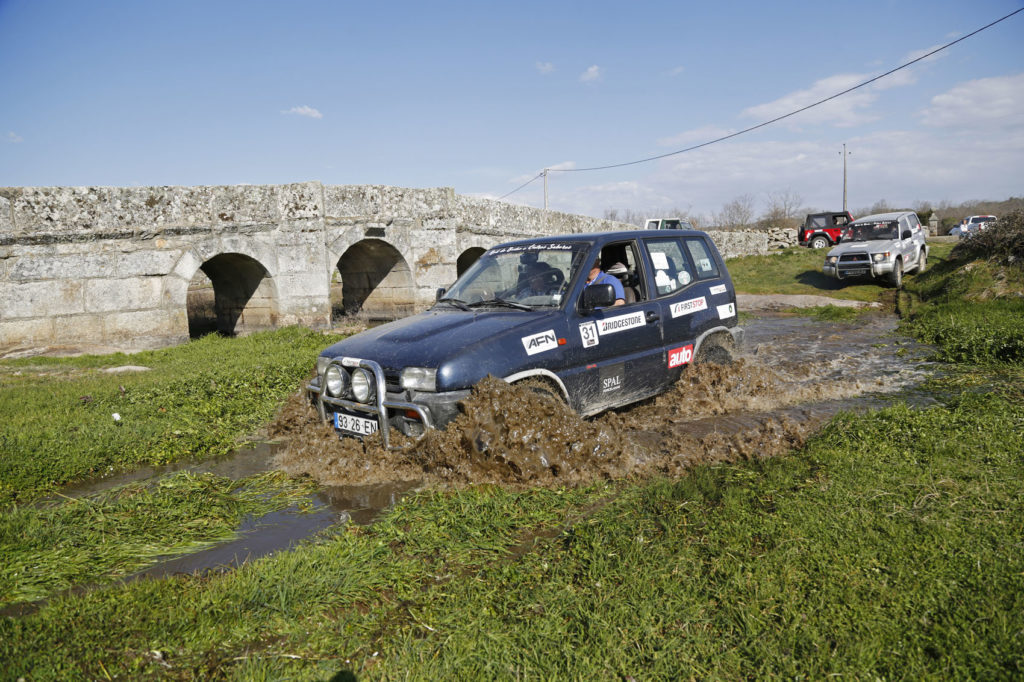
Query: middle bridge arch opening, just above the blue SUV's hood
(376, 283)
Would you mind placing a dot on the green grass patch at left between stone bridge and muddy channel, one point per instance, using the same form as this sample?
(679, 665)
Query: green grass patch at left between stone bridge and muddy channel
(200, 400)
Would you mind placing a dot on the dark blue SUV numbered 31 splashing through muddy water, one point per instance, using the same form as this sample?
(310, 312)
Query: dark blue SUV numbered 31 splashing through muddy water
(524, 312)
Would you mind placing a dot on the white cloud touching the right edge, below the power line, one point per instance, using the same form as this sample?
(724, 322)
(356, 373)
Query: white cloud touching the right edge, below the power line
(996, 104)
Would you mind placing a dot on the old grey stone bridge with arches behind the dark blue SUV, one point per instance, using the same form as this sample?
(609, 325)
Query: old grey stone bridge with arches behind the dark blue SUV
(143, 268)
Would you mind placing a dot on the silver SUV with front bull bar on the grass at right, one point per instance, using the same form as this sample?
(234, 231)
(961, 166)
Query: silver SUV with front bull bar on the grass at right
(885, 245)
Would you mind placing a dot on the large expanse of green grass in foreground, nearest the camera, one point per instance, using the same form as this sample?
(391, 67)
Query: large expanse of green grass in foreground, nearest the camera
(901, 560)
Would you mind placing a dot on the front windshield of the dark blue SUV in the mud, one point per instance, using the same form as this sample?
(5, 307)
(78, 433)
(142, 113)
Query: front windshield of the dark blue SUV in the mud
(522, 277)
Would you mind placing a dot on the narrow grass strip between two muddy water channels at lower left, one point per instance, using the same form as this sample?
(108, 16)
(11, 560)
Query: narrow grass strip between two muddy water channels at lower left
(95, 540)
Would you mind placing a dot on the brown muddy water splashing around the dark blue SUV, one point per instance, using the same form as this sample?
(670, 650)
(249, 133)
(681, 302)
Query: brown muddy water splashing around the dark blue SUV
(792, 375)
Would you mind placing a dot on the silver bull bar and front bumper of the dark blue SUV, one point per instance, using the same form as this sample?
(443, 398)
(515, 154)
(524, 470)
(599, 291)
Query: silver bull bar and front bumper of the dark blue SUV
(412, 413)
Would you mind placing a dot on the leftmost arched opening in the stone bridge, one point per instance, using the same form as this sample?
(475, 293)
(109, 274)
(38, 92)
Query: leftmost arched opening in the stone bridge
(232, 294)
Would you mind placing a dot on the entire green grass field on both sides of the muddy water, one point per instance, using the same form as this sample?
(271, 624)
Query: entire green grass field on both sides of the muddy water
(889, 547)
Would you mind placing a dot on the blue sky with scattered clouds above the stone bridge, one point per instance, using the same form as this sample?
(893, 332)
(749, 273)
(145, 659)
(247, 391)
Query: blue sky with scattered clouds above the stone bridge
(482, 97)
